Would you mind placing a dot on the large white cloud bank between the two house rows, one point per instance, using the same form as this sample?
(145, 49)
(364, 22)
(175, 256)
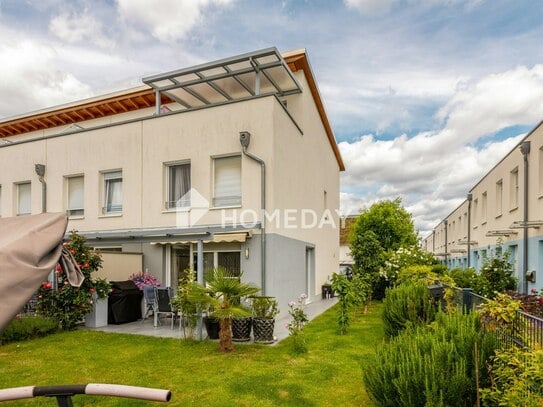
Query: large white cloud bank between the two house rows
(433, 171)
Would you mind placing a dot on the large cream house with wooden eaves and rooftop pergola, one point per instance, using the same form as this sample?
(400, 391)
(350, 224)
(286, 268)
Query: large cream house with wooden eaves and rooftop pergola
(231, 163)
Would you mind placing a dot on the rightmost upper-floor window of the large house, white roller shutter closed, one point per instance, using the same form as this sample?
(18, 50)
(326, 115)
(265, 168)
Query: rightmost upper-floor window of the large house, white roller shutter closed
(227, 181)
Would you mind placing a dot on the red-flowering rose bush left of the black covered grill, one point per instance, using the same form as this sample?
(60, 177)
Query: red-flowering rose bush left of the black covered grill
(66, 304)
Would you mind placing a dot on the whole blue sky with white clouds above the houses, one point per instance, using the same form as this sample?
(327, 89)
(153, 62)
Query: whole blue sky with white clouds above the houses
(424, 96)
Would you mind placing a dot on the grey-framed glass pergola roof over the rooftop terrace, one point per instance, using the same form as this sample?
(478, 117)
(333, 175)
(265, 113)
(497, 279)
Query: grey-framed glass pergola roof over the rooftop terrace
(254, 74)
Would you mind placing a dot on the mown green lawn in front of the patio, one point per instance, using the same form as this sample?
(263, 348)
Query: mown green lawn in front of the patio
(196, 373)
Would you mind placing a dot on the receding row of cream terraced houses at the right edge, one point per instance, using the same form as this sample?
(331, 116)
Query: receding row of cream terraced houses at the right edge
(505, 206)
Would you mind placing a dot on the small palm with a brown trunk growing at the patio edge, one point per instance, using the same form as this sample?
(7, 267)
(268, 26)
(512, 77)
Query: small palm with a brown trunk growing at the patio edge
(223, 291)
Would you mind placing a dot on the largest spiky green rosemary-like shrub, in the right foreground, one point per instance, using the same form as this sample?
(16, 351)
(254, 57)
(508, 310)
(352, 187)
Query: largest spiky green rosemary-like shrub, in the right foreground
(431, 365)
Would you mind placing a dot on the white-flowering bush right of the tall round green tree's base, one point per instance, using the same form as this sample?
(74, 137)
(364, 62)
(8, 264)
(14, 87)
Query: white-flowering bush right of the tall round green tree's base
(402, 258)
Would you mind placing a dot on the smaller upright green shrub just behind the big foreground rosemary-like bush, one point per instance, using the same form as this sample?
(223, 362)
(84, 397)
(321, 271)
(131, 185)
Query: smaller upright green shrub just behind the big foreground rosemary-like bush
(405, 305)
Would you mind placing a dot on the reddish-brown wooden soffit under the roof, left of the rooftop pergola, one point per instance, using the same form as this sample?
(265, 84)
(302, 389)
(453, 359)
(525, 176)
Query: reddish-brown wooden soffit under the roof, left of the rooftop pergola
(67, 115)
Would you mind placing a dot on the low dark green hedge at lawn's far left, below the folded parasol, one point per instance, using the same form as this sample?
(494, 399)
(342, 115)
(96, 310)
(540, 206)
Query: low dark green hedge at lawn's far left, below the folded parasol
(29, 327)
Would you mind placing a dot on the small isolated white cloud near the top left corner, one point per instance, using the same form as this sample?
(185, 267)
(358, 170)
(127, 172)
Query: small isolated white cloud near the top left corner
(79, 28)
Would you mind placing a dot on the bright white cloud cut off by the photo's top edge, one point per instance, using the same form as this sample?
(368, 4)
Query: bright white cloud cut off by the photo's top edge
(169, 20)
